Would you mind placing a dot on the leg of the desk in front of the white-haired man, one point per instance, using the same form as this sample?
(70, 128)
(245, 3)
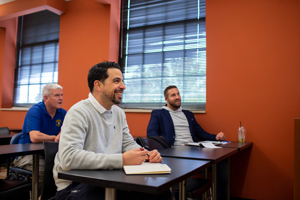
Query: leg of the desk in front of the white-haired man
(35, 177)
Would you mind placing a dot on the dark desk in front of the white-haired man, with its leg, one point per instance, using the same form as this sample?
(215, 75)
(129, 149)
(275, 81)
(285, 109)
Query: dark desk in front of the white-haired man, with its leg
(26, 149)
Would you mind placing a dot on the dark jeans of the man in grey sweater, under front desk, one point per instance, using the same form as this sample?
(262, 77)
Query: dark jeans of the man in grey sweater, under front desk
(80, 191)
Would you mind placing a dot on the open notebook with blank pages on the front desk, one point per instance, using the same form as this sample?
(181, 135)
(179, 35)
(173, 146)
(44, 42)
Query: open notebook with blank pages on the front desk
(147, 168)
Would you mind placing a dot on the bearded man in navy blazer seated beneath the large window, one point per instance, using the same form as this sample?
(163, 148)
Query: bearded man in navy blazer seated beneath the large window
(186, 128)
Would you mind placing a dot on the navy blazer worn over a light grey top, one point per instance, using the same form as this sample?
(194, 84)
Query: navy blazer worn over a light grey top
(161, 124)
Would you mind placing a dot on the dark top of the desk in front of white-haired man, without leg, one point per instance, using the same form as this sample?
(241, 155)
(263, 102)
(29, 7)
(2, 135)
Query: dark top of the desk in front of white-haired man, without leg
(21, 149)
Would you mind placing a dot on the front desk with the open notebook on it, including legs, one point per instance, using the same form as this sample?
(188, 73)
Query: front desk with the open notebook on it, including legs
(113, 180)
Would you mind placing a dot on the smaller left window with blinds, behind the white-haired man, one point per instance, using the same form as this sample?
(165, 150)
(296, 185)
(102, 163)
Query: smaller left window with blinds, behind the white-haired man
(37, 56)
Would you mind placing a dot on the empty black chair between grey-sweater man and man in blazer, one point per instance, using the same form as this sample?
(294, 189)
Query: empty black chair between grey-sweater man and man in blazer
(195, 187)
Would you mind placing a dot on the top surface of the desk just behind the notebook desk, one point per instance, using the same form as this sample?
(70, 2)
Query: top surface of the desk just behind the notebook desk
(198, 153)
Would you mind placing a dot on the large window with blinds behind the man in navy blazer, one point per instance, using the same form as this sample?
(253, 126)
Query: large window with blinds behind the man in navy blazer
(163, 42)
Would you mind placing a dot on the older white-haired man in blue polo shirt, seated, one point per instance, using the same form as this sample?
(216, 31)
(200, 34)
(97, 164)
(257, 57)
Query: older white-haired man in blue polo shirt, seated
(43, 122)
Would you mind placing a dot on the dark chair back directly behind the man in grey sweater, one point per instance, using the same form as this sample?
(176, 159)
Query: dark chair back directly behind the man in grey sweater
(48, 185)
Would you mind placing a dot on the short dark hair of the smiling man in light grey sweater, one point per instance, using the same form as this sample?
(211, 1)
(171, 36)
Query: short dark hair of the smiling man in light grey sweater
(99, 72)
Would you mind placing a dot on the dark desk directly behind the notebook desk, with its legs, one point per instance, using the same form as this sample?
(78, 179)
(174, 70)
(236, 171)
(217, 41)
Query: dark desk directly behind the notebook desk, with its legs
(199, 153)
